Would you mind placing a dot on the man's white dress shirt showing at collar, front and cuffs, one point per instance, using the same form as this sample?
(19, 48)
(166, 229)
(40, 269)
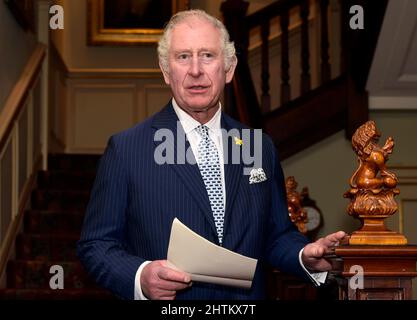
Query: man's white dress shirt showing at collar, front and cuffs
(189, 125)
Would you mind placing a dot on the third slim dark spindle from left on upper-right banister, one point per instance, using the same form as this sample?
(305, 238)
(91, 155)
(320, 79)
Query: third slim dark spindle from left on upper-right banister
(305, 50)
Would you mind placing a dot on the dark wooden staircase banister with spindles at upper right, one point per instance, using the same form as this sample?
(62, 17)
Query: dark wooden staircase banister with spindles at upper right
(338, 103)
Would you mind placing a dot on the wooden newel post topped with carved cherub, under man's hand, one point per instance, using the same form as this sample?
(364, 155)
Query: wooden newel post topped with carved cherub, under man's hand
(377, 262)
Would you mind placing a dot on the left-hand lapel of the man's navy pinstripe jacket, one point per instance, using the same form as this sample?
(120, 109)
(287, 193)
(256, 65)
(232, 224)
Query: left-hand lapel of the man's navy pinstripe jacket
(188, 173)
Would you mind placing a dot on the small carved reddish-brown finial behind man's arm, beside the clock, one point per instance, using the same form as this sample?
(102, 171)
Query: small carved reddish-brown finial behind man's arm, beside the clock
(296, 211)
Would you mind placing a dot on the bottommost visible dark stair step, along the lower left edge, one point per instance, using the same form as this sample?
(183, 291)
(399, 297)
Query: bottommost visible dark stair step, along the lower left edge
(49, 294)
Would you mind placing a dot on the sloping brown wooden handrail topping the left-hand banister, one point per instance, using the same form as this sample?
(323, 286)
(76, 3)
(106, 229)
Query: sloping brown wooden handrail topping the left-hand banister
(17, 97)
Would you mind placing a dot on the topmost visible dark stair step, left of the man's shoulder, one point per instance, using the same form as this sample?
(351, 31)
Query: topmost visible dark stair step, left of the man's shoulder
(78, 162)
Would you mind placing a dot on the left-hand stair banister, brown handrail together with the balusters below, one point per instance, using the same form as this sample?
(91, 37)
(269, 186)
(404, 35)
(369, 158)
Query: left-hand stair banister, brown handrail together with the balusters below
(19, 100)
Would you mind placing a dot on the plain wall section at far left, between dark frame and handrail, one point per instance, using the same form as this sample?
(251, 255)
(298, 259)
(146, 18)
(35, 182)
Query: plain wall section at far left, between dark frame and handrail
(16, 45)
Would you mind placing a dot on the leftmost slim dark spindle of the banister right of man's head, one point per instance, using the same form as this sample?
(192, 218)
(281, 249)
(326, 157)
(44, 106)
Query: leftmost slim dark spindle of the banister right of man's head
(266, 98)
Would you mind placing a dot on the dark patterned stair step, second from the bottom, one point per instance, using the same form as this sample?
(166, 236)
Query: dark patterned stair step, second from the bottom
(32, 274)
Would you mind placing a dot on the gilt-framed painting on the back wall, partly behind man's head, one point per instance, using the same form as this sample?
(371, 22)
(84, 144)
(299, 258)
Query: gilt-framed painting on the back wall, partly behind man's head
(129, 22)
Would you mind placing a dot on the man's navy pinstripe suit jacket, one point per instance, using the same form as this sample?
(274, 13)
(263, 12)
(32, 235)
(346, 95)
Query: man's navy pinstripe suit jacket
(134, 201)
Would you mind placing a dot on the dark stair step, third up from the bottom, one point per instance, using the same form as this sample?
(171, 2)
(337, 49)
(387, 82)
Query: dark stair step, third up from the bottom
(46, 247)
